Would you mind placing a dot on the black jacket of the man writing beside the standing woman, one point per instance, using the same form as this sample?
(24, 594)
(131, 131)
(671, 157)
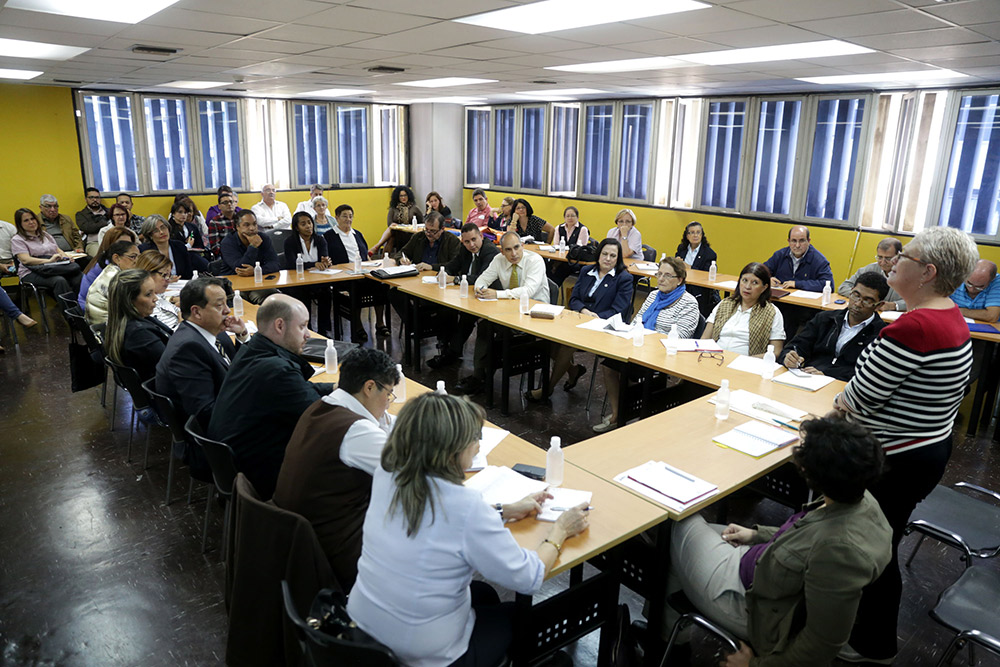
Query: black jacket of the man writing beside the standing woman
(817, 344)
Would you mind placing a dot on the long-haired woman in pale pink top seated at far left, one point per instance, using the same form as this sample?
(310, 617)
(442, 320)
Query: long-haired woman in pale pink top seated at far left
(42, 262)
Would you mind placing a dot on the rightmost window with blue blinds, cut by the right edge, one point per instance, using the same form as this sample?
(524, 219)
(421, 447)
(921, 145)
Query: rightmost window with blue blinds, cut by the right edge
(972, 188)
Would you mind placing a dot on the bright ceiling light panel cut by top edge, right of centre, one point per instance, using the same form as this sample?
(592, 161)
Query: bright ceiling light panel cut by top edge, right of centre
(554, 15)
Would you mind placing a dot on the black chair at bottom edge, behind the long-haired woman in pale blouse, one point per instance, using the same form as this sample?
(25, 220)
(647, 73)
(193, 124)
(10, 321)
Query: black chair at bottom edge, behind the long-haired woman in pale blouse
(325, 650)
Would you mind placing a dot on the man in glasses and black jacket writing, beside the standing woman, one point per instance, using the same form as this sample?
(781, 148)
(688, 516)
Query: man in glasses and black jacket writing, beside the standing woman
(831, 342)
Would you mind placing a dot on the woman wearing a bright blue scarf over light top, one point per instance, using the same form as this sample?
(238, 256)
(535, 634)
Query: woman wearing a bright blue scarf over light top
(669, 304)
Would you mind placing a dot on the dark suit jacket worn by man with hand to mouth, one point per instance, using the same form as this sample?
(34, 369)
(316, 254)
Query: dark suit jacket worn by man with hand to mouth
(191, 371)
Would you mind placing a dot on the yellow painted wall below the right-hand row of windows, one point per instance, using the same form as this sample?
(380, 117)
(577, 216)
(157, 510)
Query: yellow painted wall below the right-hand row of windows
(737, 241)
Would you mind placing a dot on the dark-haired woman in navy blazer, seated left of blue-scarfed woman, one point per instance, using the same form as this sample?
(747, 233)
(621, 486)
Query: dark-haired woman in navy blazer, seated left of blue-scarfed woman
(603, 290)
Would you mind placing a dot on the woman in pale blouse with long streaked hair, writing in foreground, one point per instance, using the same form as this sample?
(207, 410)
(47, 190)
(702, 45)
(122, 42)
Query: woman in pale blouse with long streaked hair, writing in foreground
(426, 534)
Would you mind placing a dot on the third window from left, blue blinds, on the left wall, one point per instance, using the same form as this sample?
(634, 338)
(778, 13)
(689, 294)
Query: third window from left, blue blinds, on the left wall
(220, 143)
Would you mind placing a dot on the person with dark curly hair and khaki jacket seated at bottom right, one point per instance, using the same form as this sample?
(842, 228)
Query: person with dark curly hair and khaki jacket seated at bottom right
(793, 590)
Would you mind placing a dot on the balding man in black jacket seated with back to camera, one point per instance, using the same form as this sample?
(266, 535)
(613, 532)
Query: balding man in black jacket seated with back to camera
(265, 392)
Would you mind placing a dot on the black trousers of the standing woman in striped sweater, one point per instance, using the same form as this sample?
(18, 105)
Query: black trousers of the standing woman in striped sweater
(909, 478)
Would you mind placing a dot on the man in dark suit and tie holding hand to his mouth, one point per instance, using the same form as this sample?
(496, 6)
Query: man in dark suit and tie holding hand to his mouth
(198, 355)
